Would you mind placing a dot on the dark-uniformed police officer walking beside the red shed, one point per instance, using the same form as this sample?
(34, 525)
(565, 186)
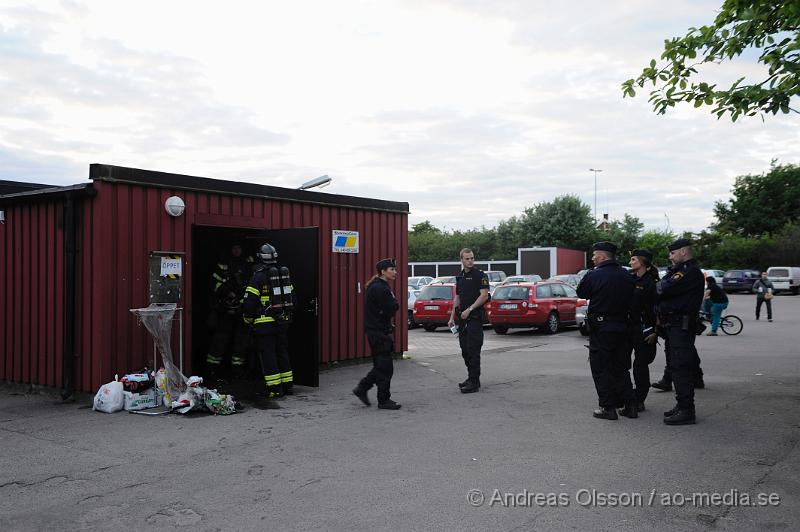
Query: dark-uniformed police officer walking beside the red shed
(380, 307)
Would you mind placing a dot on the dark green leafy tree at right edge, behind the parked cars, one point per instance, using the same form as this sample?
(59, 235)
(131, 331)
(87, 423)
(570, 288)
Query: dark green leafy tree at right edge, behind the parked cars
(761, 203)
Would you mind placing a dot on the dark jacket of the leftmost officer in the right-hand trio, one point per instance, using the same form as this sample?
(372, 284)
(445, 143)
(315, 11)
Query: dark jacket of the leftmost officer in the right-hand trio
(609, 289)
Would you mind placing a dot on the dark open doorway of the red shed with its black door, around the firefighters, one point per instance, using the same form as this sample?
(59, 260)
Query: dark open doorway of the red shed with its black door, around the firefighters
(298, 250)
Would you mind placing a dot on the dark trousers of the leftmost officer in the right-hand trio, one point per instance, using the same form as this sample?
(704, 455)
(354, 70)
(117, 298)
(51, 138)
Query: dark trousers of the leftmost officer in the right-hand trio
(610, 360)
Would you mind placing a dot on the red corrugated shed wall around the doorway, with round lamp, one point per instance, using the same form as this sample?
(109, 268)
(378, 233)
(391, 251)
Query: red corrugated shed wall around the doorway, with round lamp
(126, 222)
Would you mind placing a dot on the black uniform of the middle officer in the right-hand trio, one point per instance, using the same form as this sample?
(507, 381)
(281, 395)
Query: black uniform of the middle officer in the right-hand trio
(643, 322)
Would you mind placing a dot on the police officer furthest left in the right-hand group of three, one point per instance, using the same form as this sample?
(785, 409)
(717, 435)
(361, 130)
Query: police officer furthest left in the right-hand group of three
(609, 289)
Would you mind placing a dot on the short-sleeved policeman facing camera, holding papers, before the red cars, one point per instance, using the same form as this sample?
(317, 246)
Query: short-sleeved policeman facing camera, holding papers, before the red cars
(472, 291)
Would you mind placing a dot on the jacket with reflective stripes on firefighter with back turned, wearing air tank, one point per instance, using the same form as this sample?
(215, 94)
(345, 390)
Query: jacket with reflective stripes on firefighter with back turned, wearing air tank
(269, 297)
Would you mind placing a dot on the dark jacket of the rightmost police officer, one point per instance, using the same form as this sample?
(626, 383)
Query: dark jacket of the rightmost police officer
(680, 292)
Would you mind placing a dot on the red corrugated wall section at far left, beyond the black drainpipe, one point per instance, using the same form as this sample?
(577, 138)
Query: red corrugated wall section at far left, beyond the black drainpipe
(32, 299)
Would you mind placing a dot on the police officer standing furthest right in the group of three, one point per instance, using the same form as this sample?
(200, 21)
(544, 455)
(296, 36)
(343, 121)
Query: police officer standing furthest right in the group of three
(680, 295)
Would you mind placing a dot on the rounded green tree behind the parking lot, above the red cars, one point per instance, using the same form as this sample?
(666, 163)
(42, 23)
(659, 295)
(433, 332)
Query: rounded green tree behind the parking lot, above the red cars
(564, 222)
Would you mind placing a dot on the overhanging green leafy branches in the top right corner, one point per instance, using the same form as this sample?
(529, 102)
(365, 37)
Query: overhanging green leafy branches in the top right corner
(772, 26)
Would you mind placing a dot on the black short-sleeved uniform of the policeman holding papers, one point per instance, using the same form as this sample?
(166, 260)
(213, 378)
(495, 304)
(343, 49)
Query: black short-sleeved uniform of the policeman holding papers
(470, 331)
